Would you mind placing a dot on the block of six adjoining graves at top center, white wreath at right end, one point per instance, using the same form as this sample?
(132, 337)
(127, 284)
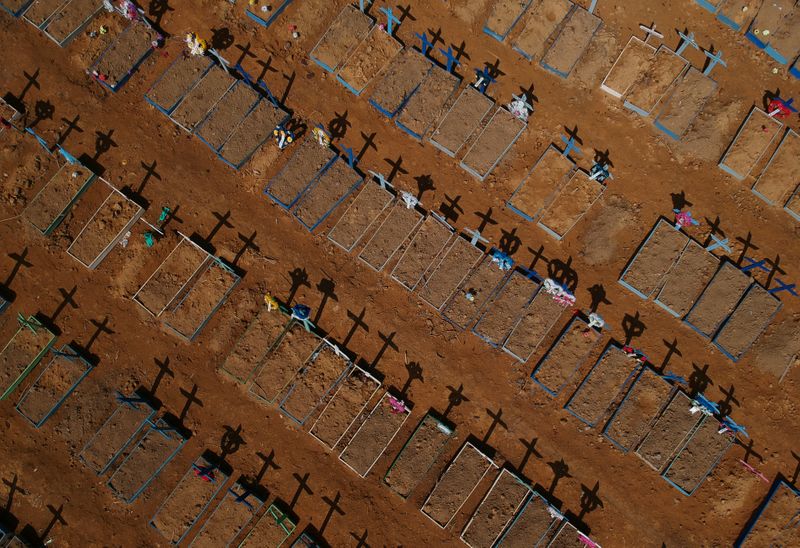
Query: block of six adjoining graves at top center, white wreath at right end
(418, 93)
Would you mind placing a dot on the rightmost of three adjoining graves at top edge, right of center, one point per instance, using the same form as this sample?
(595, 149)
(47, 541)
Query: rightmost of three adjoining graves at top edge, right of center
(576, 32)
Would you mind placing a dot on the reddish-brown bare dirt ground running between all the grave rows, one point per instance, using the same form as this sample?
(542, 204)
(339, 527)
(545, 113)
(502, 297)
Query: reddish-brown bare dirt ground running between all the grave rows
(634, 507)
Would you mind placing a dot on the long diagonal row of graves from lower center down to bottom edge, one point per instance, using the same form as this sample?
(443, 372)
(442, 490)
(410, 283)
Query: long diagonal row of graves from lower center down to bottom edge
(285, 361)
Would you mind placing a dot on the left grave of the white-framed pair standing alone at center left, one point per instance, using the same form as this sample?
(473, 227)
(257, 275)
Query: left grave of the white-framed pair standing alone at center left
(172, 276)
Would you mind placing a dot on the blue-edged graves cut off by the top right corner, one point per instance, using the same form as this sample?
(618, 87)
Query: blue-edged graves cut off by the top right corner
(773, 27)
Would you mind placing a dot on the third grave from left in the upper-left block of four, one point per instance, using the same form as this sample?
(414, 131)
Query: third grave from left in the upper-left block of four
(231, 109)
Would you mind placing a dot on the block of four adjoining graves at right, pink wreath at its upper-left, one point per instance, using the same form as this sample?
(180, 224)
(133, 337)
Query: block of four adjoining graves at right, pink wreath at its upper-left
(718, 299)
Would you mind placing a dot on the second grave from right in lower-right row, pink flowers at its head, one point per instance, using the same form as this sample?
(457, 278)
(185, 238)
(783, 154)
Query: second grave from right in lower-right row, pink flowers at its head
(673, 426)
